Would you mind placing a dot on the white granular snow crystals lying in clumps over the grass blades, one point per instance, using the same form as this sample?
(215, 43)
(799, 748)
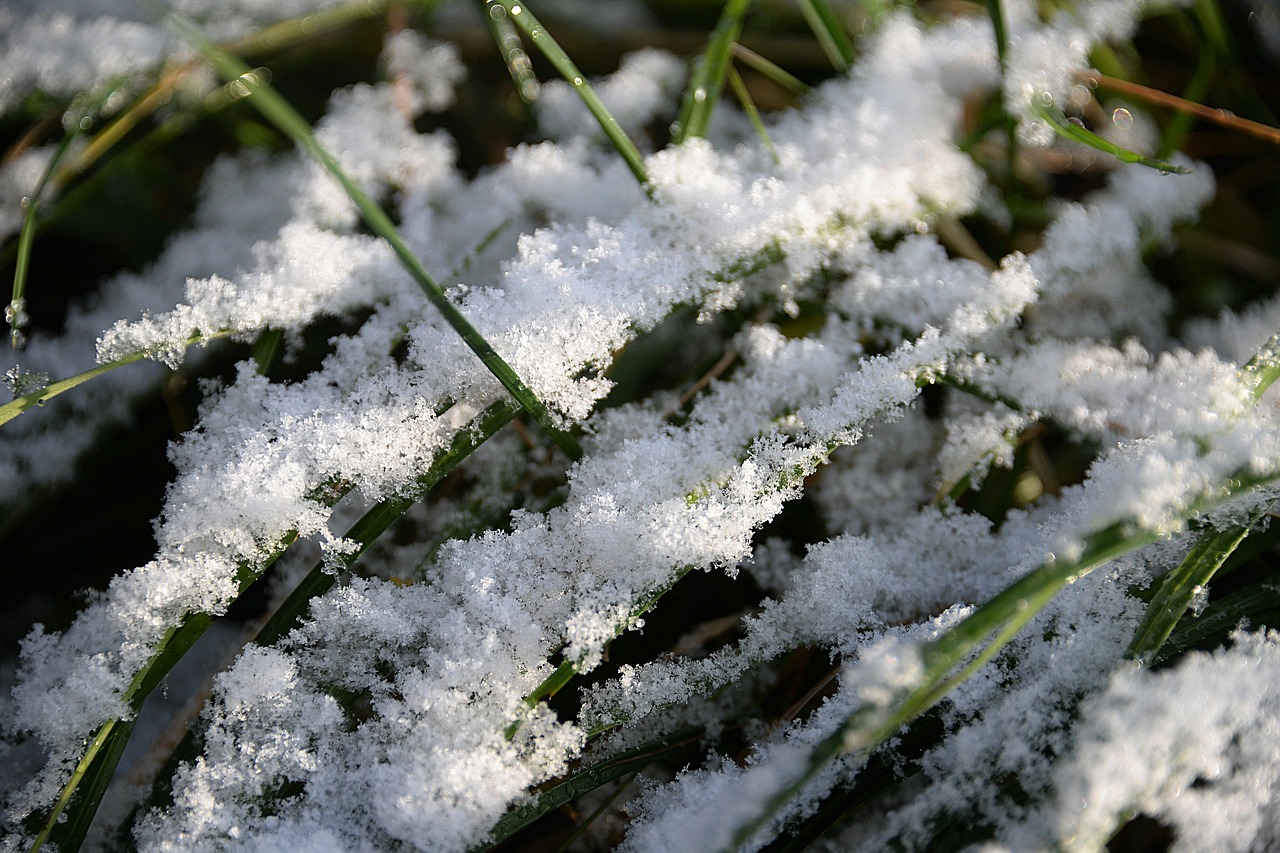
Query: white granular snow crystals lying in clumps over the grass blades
(397, 715)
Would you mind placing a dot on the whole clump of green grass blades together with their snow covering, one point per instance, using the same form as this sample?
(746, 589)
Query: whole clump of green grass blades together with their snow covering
(880, 427)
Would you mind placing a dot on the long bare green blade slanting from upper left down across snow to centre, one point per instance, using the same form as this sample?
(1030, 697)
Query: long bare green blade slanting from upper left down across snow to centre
(276, 110)
